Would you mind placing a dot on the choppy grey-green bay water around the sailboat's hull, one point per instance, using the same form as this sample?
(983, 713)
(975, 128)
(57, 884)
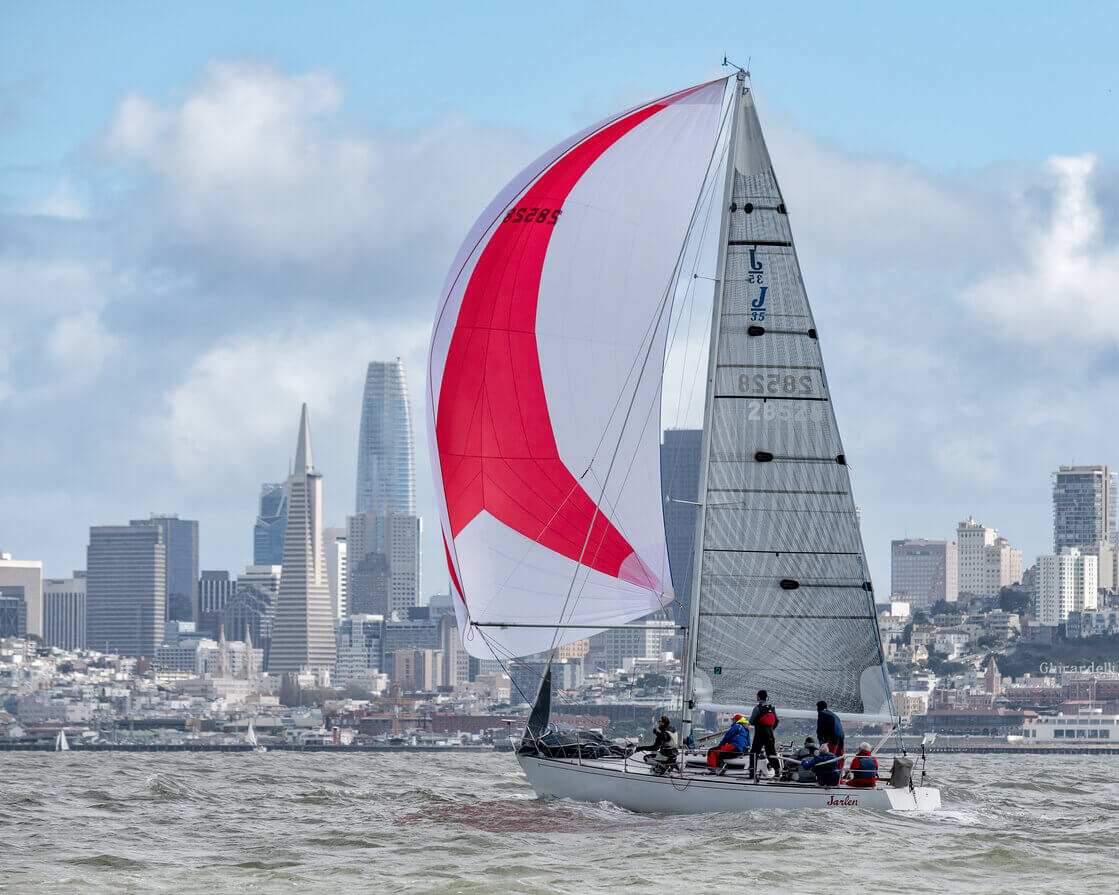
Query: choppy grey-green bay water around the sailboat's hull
(286, 822)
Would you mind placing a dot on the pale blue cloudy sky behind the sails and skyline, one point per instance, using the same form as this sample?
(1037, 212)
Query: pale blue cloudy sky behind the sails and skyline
(312, 250)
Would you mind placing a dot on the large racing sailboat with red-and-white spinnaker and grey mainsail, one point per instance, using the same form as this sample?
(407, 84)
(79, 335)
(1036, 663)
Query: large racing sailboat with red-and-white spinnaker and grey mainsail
(544, 402)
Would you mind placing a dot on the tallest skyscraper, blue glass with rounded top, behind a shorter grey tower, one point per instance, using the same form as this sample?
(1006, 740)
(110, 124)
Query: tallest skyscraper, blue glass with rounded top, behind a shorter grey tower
(387, 481)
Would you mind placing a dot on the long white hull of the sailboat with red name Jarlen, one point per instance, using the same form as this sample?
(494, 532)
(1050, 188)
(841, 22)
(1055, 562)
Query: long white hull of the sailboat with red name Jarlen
(637, 789)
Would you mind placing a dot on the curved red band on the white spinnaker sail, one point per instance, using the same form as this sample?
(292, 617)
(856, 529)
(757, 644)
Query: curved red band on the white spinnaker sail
(496, 445)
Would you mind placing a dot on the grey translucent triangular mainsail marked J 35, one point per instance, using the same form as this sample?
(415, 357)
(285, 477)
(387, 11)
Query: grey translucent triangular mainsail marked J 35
(785, 598)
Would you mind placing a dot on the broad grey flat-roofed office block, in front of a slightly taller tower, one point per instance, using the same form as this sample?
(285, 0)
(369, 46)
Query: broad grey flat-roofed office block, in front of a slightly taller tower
(126, 602)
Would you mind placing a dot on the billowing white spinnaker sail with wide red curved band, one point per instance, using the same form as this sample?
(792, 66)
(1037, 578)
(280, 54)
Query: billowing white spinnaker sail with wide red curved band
(544, 381)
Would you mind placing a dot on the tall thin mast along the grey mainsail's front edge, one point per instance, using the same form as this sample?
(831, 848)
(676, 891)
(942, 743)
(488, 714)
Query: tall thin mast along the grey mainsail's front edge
(709, 403)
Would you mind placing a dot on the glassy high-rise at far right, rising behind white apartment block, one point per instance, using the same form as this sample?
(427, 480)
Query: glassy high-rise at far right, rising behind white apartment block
(1084, 508)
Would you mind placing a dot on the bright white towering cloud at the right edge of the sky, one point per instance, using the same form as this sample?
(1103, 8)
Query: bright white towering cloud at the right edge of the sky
(1067, 282)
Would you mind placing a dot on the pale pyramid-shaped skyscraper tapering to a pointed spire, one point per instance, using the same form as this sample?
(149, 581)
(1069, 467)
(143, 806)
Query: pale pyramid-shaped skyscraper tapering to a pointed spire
(304, 633)
